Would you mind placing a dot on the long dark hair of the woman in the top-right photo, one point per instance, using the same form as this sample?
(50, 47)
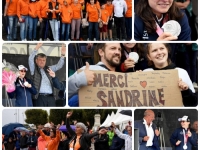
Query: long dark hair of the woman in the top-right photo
(144, 11)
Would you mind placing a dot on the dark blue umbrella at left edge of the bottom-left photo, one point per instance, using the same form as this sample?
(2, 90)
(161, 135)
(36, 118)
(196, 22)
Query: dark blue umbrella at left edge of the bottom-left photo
(8, 128)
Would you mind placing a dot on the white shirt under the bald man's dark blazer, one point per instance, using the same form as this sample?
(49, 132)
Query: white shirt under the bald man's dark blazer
(150, 133)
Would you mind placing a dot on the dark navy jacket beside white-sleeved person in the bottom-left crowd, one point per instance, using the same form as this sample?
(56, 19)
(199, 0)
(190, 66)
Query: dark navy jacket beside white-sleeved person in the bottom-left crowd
(117, 143)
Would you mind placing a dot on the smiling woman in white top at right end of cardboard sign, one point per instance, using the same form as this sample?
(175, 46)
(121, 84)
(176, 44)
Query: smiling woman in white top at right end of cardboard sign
(158, 57)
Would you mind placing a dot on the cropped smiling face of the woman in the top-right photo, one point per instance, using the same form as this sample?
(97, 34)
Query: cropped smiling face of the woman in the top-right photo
(160, 6)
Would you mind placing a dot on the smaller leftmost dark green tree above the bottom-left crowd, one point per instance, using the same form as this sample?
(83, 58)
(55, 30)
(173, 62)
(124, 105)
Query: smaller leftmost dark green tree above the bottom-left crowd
(36, 116)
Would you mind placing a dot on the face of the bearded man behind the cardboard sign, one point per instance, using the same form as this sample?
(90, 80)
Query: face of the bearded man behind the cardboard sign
(111, 55)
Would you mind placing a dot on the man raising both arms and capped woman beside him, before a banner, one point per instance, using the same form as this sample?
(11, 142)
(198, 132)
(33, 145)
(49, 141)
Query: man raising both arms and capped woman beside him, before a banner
(39, 91)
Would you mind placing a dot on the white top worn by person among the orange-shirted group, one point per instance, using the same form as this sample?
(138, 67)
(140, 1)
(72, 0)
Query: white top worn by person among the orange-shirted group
(120, 6)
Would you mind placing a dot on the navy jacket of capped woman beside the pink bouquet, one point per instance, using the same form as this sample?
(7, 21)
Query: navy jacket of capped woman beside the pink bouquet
(23, 94)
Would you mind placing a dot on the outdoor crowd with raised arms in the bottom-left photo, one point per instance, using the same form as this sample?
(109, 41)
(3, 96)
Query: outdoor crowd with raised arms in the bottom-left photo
(82, 137)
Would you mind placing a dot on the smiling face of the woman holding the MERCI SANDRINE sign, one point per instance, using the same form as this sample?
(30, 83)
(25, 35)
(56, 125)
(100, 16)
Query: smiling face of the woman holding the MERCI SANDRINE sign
(158, 54)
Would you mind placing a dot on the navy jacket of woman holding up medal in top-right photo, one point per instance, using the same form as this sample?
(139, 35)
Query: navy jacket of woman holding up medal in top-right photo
(140, 34)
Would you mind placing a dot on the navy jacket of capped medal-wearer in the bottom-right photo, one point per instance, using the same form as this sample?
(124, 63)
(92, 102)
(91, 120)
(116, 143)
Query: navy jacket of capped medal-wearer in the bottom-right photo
(178, 135)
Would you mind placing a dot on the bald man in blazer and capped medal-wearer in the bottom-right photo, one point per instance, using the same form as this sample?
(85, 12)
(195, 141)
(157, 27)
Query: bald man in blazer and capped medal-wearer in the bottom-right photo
(182, 138)
